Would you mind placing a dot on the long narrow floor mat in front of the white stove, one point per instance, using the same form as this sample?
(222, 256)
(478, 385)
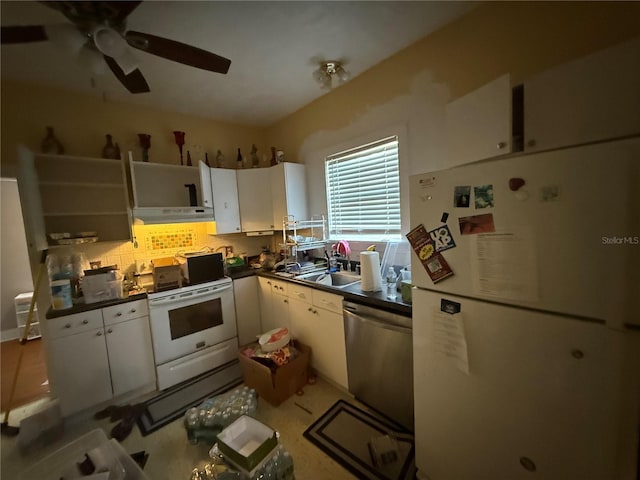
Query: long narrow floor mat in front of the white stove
(173, 402)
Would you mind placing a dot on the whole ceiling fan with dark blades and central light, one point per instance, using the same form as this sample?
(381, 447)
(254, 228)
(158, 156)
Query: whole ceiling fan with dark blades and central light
(101, 28)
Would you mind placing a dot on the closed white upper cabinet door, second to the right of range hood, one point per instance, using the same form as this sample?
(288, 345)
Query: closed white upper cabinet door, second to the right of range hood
(254, 195)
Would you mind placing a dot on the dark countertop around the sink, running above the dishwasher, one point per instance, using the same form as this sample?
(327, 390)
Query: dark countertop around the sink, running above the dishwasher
(351, 293)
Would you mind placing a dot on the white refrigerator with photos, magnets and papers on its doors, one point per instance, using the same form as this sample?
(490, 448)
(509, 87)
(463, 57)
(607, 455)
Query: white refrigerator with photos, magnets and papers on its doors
(526, 359)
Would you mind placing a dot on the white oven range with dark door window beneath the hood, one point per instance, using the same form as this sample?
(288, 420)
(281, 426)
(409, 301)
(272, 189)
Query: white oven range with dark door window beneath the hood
(193, 330)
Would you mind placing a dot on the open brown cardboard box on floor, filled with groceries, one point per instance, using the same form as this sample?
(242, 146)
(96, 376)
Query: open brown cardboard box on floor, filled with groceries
(275, 387)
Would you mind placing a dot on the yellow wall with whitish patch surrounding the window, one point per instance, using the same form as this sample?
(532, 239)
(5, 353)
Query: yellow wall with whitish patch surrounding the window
(410, 90)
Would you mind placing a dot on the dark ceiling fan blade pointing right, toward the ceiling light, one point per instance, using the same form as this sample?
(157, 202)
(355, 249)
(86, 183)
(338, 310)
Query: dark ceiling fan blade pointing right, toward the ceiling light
(178, 52)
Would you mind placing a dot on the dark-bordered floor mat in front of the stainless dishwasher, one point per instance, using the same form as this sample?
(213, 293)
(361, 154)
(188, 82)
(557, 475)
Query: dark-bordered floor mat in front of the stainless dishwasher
(346, 433)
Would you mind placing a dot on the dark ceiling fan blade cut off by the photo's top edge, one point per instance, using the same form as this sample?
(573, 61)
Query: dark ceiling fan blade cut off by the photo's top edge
(87, 13)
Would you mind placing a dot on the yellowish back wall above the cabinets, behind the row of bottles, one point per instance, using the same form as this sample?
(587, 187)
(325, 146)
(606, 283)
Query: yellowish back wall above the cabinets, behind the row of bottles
(81, 122)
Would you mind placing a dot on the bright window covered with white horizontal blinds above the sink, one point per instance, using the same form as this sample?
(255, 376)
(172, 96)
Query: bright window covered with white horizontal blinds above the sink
(363, 191)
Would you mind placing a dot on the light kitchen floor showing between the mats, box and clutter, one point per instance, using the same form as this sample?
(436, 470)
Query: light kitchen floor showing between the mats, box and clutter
(172, 457)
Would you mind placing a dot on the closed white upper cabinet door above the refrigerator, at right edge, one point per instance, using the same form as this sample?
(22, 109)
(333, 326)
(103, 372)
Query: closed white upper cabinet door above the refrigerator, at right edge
(596, 97)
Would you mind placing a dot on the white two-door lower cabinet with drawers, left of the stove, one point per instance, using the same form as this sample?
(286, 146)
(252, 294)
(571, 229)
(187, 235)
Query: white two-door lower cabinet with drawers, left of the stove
(100, 354)
